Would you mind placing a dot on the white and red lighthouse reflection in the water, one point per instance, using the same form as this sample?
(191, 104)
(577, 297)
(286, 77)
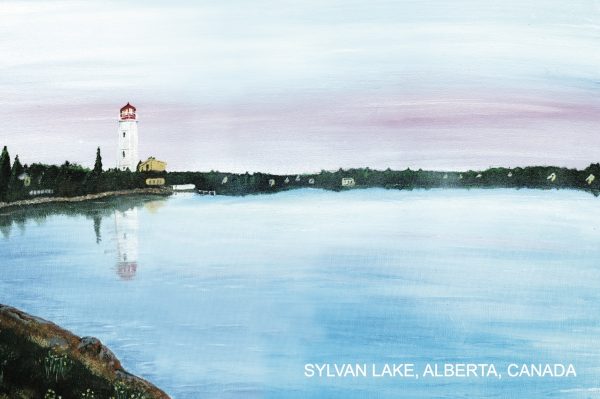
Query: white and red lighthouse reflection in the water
(126, 227)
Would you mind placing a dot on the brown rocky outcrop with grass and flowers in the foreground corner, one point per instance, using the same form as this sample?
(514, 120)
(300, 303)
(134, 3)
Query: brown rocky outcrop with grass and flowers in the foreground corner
(38, 359)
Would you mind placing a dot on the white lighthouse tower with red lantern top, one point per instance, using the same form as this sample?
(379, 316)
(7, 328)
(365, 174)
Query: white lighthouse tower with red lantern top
(127, 158)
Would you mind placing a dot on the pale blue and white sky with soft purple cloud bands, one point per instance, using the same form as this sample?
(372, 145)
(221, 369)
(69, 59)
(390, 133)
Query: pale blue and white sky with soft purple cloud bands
(298, 86)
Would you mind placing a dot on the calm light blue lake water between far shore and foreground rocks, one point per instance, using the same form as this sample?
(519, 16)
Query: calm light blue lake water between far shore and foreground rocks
(223, 297)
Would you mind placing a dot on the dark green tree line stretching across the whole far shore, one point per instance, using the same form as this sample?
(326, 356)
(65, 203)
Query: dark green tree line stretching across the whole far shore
(19, 181)
